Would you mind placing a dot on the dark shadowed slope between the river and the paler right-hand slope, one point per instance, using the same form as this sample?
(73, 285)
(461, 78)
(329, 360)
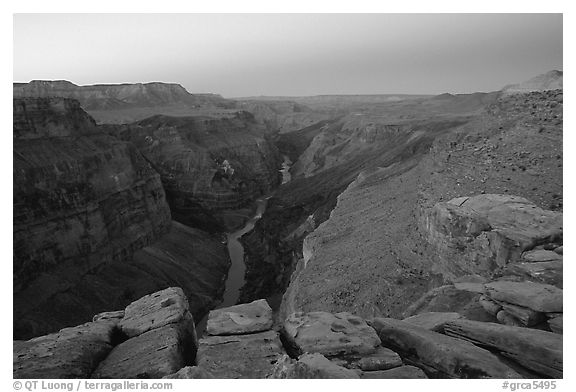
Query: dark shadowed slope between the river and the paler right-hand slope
(299, 206)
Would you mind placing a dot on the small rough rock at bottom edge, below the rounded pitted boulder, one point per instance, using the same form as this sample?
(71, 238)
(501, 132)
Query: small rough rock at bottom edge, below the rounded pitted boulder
(310, 366)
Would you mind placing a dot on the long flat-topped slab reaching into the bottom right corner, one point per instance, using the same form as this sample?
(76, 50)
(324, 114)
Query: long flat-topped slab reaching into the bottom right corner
(536, 350)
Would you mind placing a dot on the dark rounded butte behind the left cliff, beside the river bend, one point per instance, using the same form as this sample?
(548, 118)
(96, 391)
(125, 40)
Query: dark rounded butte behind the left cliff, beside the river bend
(208, 165)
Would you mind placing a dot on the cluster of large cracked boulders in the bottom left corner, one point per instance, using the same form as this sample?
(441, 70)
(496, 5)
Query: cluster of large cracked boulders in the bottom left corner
(155, 337)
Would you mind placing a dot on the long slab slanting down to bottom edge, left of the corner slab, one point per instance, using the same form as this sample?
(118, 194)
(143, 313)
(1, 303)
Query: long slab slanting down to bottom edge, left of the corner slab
(441, 356)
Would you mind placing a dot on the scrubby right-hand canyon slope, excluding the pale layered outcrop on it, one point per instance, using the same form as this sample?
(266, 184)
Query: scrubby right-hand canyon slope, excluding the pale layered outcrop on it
(374, 255)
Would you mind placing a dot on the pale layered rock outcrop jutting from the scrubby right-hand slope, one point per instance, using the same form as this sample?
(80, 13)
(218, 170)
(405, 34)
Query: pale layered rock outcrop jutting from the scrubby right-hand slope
(488, 231)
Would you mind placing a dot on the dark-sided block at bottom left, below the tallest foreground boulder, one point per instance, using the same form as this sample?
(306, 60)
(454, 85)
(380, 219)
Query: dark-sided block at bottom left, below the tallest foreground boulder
(153, 354)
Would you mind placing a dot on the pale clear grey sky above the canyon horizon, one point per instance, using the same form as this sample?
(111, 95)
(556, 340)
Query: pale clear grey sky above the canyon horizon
(239, 55)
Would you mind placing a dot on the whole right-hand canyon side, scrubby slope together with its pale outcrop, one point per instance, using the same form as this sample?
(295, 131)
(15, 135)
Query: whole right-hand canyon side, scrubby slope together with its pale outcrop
(486, 192)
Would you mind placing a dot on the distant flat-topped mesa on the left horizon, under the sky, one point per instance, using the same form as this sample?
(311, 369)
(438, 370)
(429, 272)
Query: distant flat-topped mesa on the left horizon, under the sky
(122, 103)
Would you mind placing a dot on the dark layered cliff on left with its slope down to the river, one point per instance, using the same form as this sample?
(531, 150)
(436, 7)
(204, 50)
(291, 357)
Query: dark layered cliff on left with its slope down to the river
(85, 204)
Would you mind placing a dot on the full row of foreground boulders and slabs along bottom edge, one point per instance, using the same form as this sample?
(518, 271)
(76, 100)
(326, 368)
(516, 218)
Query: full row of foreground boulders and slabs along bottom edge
(154, 337)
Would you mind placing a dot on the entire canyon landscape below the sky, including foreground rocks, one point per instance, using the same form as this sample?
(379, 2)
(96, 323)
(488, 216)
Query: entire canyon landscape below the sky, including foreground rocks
(386, 236)
